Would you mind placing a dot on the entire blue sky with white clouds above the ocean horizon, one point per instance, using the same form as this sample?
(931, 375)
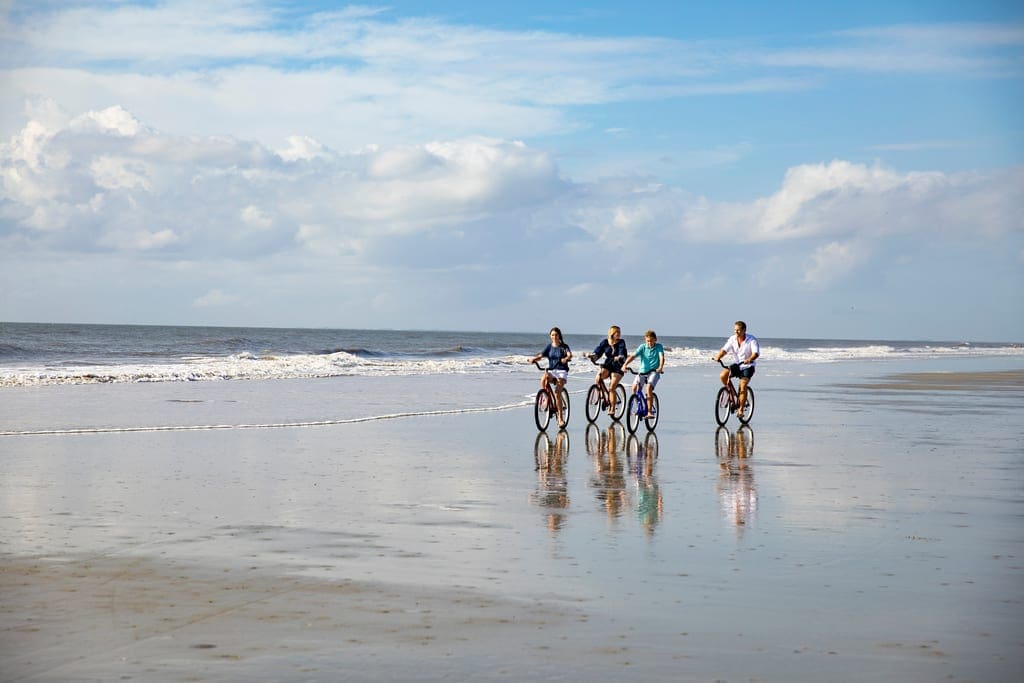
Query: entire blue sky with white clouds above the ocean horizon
(821, 170)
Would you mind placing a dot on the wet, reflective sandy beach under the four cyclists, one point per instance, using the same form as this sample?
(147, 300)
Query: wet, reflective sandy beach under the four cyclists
(867, 528)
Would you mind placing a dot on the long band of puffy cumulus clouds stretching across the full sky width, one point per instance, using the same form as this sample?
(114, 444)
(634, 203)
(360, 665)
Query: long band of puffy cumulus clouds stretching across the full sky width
(107, 182)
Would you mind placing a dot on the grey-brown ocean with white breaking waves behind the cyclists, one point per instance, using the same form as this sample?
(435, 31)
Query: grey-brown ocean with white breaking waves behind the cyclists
(33, 355)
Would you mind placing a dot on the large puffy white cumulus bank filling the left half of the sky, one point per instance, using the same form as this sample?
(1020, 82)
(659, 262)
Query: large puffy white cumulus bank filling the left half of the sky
(104, 181)
